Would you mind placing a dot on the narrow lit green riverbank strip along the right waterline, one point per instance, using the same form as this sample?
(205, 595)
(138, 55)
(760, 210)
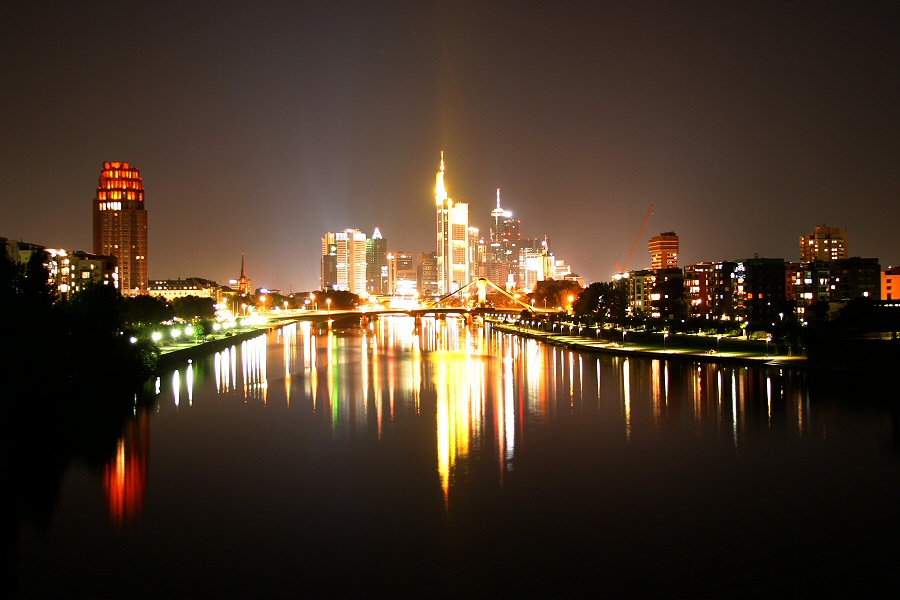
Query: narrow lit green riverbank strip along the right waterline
(670, 349)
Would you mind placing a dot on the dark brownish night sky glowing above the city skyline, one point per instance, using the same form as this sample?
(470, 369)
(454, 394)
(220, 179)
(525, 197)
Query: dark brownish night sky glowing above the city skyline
(259, 126)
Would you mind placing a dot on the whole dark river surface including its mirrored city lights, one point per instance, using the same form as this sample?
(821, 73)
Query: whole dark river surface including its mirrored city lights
(443, 460)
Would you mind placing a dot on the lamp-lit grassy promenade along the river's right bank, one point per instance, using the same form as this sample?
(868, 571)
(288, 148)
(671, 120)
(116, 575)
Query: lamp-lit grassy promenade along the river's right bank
(669, 347)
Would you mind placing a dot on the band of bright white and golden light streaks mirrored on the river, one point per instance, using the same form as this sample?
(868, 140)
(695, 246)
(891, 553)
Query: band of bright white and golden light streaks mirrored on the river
(485, 390)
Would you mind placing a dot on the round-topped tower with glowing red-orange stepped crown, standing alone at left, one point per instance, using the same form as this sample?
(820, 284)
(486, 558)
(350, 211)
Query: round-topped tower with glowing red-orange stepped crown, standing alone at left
(120, 224)
